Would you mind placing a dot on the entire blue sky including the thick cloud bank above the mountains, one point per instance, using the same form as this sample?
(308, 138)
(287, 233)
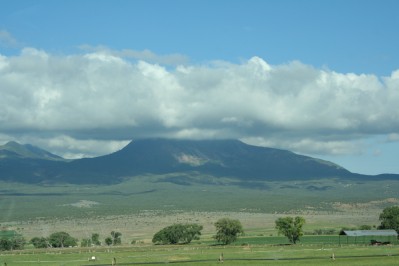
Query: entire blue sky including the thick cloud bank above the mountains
(82, 78)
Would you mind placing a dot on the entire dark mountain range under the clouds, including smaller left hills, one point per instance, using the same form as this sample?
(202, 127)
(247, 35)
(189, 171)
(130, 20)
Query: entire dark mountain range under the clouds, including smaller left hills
(218, 158)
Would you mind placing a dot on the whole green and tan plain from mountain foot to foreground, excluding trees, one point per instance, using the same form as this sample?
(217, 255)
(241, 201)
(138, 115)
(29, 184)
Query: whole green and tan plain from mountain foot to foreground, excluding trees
(140, 206)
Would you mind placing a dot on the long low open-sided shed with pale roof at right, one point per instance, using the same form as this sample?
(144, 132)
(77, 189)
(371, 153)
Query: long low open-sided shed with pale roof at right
(374, 237)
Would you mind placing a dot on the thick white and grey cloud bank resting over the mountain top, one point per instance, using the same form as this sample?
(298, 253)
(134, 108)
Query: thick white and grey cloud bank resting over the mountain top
(76, 103)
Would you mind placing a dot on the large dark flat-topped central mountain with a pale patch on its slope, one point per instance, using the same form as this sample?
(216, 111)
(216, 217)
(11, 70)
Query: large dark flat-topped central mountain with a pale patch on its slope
(212, 157)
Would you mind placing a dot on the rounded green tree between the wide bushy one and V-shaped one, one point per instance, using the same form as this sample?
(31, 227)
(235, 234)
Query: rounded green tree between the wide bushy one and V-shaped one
(228, 230)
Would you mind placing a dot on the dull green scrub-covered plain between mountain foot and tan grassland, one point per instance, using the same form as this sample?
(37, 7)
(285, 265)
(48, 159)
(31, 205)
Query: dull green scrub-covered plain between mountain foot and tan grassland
(24, 202)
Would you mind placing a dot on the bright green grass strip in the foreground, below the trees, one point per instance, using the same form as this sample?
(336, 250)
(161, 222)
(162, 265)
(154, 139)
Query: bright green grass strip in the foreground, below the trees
(208, 254)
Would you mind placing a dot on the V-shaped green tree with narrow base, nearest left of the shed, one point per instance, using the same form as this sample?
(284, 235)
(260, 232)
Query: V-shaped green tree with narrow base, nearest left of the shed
(291, 227)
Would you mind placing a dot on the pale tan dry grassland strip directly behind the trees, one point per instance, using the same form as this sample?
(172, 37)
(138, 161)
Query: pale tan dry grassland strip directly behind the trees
(143, 225)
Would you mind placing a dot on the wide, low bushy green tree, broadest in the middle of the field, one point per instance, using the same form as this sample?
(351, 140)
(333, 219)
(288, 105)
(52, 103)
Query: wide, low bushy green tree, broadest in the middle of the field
(177, 233)
